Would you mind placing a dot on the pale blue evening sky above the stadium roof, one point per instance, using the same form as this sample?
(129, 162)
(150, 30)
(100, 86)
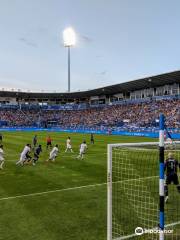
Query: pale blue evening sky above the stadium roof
(117, 41)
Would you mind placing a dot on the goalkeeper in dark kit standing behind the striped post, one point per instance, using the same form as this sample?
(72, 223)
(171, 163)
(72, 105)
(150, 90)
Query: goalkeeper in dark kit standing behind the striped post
(171, 171)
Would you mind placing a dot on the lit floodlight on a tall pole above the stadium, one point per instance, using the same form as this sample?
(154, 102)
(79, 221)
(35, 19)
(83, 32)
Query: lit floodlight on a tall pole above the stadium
(69, 38)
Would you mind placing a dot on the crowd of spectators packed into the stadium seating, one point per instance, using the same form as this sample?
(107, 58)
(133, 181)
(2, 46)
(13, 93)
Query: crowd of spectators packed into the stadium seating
(137, 115)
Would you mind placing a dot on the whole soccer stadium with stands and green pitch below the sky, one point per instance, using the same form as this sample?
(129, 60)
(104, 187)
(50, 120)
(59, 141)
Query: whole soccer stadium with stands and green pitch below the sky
(50, 200)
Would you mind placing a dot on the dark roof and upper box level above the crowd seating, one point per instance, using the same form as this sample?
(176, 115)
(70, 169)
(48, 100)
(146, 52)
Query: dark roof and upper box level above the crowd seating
(163, 85)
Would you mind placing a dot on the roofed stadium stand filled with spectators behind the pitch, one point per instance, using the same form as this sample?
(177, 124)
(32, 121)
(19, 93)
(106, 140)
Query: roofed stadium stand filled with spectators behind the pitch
(131, 105)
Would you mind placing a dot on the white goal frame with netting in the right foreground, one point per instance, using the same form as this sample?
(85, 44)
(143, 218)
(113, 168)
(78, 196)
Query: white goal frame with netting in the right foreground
(133, 192)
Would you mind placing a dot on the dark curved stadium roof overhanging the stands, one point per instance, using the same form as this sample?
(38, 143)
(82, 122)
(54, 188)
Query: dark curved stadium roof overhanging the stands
(148, 82)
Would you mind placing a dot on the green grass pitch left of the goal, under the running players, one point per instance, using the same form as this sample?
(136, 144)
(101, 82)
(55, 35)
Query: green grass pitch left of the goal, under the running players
(63, 215)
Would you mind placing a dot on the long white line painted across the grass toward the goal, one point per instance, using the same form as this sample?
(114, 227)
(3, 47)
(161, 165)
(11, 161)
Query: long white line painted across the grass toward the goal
(69, 189)
